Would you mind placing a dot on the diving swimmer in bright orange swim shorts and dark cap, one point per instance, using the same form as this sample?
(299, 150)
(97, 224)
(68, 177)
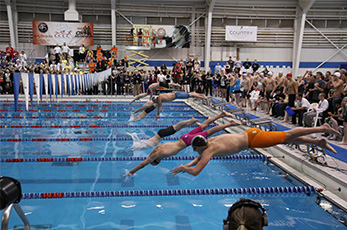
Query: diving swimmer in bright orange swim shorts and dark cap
(228, 144)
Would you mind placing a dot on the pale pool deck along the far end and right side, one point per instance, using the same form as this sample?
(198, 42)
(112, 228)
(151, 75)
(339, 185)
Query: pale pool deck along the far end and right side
(331, 177)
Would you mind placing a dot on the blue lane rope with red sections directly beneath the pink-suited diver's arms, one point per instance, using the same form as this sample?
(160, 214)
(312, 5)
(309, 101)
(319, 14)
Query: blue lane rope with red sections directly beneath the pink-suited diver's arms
(80, 159)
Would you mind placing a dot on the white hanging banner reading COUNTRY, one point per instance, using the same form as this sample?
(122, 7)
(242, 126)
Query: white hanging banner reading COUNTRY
(241, 33)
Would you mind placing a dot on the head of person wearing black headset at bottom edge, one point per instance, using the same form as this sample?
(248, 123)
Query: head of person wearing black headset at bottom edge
(246, 214)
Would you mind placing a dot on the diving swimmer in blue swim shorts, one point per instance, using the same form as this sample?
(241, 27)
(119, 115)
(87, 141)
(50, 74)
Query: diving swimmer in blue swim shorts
(168, 97)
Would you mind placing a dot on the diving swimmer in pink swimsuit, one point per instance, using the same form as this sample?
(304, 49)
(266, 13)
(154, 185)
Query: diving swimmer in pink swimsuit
(172, 148)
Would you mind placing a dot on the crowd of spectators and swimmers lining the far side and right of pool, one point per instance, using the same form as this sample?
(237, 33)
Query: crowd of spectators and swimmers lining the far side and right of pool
(279, 95)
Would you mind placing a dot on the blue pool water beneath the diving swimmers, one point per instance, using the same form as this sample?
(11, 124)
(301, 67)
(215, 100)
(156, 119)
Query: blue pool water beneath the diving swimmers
(182, 212)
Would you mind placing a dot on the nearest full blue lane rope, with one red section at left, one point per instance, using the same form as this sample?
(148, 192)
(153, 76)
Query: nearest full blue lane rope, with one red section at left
(173, 192)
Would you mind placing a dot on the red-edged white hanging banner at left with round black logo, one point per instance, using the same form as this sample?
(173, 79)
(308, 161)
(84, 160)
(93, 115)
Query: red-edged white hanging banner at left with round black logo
(52, 33)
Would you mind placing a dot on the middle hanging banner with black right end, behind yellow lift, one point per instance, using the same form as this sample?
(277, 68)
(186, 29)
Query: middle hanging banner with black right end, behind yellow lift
(161, 36)
